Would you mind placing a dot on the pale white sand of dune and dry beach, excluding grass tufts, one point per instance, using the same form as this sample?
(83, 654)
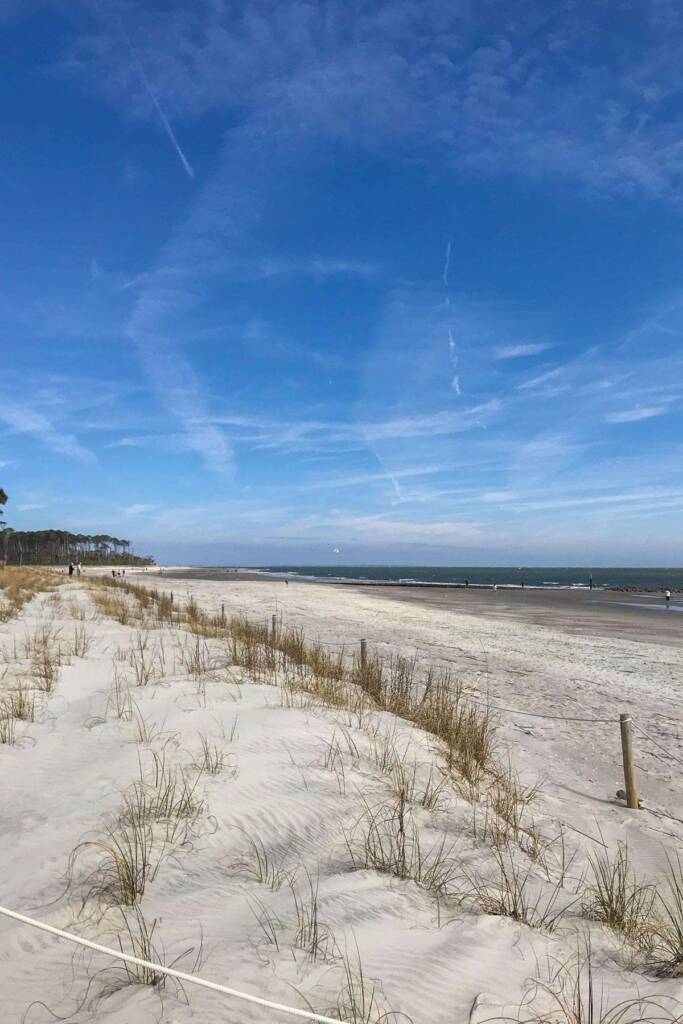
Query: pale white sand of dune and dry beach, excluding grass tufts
(70, 769)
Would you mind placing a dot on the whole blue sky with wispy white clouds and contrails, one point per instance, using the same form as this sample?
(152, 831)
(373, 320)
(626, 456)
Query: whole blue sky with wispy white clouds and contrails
(402, 280)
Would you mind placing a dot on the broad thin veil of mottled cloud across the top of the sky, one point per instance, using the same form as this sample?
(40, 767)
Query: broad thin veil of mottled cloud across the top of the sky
(489, 90)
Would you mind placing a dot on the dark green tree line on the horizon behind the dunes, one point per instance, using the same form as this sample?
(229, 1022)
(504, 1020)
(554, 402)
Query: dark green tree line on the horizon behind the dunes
(58, 547)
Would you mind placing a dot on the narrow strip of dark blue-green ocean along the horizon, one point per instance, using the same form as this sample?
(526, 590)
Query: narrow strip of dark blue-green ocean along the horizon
(487, 576)
